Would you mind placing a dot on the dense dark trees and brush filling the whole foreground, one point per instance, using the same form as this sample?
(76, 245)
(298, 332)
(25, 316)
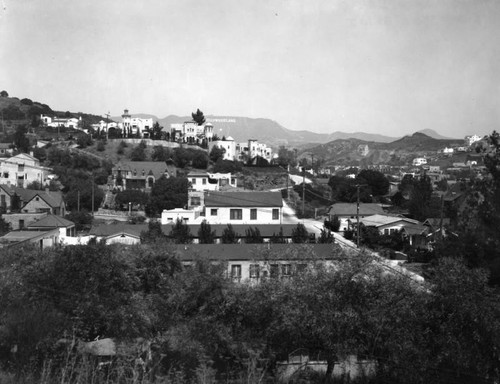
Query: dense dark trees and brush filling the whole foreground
(207, 328)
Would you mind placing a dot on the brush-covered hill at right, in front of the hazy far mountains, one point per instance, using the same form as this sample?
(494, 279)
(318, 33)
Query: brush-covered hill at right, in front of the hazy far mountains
(398, 152)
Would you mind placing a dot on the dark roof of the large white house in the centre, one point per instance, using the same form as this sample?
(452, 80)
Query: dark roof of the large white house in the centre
(243, 199)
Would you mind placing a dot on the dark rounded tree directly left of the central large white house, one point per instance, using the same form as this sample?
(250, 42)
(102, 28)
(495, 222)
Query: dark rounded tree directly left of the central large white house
(167, 193)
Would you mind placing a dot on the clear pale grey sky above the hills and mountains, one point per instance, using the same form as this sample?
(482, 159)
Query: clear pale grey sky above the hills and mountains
(377, 66)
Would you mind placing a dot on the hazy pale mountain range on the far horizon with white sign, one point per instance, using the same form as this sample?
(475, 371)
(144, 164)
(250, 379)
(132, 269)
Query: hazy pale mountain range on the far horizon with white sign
(274, 134)
